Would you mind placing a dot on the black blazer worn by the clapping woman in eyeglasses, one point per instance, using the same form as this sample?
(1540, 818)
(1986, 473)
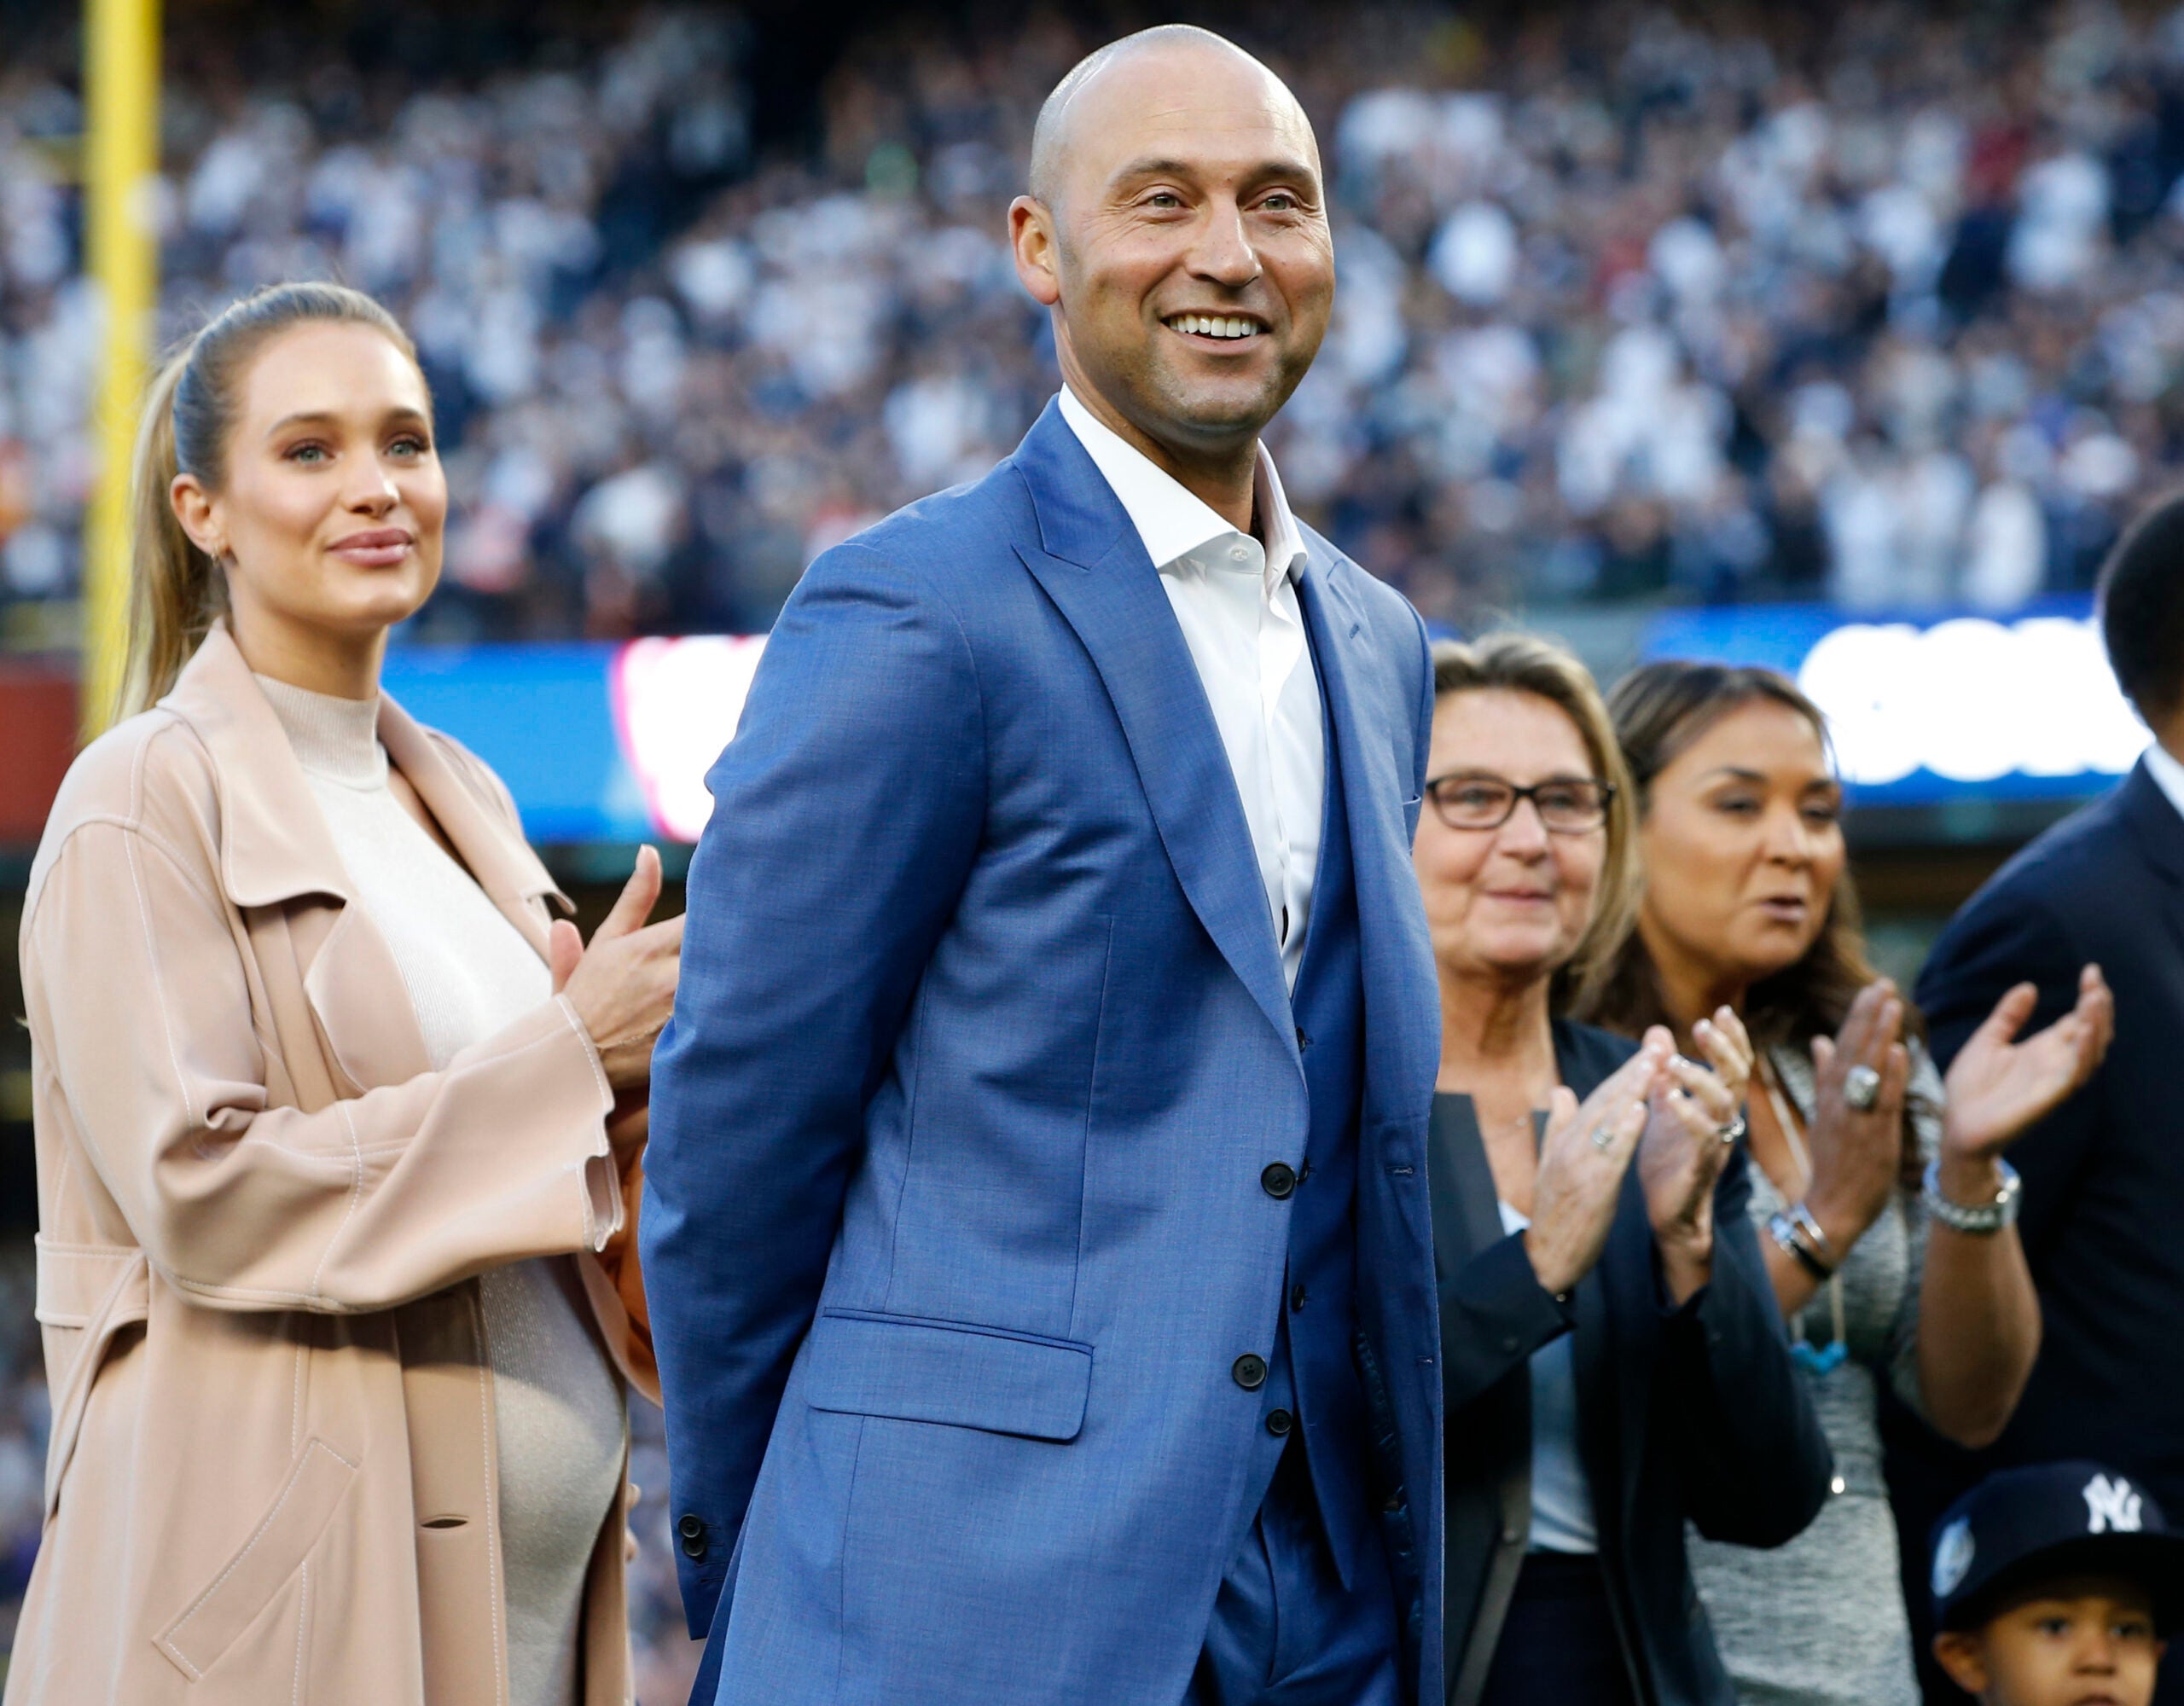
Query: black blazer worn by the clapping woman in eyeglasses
(1689, 1412)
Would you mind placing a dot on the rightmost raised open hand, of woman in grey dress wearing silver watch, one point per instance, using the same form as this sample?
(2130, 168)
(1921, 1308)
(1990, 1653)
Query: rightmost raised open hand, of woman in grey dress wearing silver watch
(1999, 1087)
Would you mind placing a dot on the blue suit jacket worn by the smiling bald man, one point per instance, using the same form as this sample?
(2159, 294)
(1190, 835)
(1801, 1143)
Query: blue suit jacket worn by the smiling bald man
(953, 1224)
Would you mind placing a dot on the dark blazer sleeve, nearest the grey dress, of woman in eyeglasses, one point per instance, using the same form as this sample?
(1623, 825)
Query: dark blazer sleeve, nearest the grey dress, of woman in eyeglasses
(1755, 1460)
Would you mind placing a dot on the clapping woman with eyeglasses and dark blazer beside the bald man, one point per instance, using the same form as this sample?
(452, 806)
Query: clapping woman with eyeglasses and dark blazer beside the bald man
(1611, 1351)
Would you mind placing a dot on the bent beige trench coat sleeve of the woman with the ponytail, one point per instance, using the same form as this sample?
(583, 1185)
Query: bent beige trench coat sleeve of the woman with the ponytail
(141, 1012)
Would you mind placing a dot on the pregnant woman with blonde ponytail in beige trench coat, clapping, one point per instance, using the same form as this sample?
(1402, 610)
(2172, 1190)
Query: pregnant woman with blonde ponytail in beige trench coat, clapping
(335, 1135)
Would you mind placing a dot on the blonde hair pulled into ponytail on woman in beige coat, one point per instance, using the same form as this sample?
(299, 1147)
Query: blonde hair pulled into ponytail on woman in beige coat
(178, 593)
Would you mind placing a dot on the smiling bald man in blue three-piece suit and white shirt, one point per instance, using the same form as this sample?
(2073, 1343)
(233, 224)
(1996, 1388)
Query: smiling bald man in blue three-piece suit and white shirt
(1036, 1220)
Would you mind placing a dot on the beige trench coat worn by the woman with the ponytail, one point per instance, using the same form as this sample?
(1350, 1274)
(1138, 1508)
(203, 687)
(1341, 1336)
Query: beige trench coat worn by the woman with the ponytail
(272, 1473)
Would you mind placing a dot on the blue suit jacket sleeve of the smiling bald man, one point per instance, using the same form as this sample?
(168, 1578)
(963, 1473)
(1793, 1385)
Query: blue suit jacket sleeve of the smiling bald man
(846, 818)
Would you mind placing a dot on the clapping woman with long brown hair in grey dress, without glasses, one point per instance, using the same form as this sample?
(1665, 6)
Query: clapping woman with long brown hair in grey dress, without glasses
(1873, 1183)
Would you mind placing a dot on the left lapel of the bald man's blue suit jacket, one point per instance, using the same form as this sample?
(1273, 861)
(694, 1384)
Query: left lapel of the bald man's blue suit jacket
(1093, 567)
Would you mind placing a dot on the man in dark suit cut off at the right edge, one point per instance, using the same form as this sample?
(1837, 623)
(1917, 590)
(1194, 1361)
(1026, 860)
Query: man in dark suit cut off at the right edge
(2104, 1174)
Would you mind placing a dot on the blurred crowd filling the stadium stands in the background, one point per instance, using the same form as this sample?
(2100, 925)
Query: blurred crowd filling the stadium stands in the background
(1855, 305)
